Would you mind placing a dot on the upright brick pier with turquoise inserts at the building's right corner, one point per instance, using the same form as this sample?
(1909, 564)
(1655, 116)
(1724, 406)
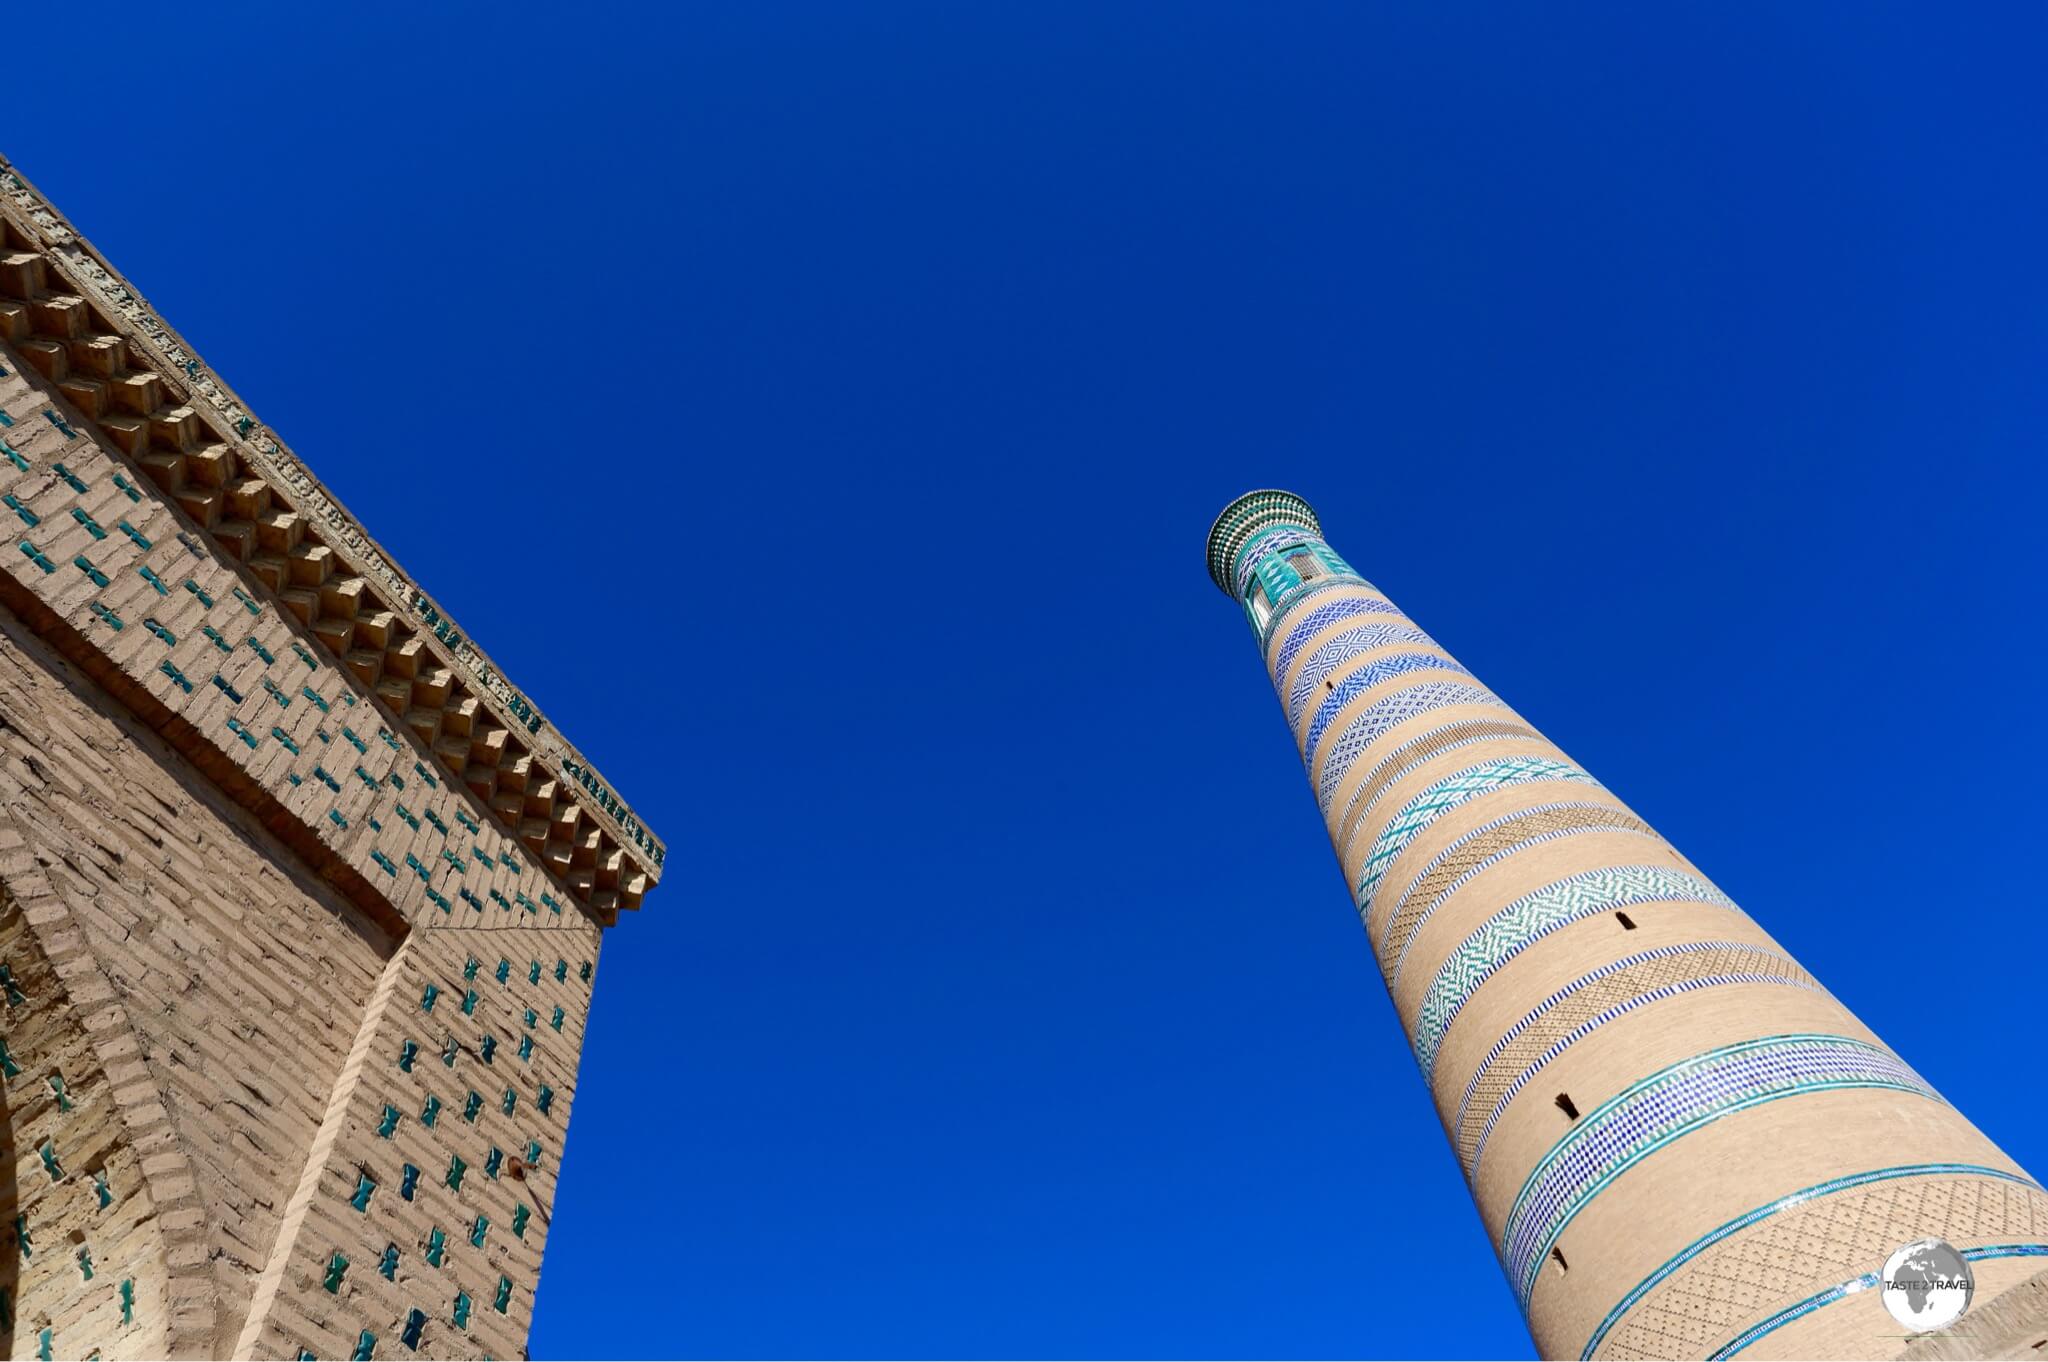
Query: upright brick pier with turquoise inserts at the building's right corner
(462, 1142)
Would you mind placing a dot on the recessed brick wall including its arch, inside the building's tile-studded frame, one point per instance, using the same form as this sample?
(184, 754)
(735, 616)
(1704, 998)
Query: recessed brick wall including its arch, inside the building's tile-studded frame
(163, 910)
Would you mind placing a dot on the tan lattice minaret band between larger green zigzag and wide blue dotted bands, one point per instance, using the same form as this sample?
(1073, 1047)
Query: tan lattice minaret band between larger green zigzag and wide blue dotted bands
(1590, 1003)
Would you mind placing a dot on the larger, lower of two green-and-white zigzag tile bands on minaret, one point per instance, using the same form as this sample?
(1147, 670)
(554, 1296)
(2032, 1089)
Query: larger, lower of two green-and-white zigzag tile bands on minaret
(1535, 917)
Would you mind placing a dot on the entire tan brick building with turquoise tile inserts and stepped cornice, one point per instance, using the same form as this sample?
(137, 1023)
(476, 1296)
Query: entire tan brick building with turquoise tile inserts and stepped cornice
(300, 900)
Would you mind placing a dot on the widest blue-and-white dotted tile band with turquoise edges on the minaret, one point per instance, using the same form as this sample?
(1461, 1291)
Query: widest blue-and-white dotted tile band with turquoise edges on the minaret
(1670, 1105)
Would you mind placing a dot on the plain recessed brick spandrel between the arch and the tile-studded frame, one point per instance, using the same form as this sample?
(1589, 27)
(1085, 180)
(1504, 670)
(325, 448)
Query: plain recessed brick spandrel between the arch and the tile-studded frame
(241, 974)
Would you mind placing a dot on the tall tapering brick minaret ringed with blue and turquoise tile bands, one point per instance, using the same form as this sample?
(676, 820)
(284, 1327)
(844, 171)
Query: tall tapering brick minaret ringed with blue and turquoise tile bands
(1680, 1144)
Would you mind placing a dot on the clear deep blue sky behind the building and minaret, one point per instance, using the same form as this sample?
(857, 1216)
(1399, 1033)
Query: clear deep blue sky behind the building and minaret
(818, 411)
